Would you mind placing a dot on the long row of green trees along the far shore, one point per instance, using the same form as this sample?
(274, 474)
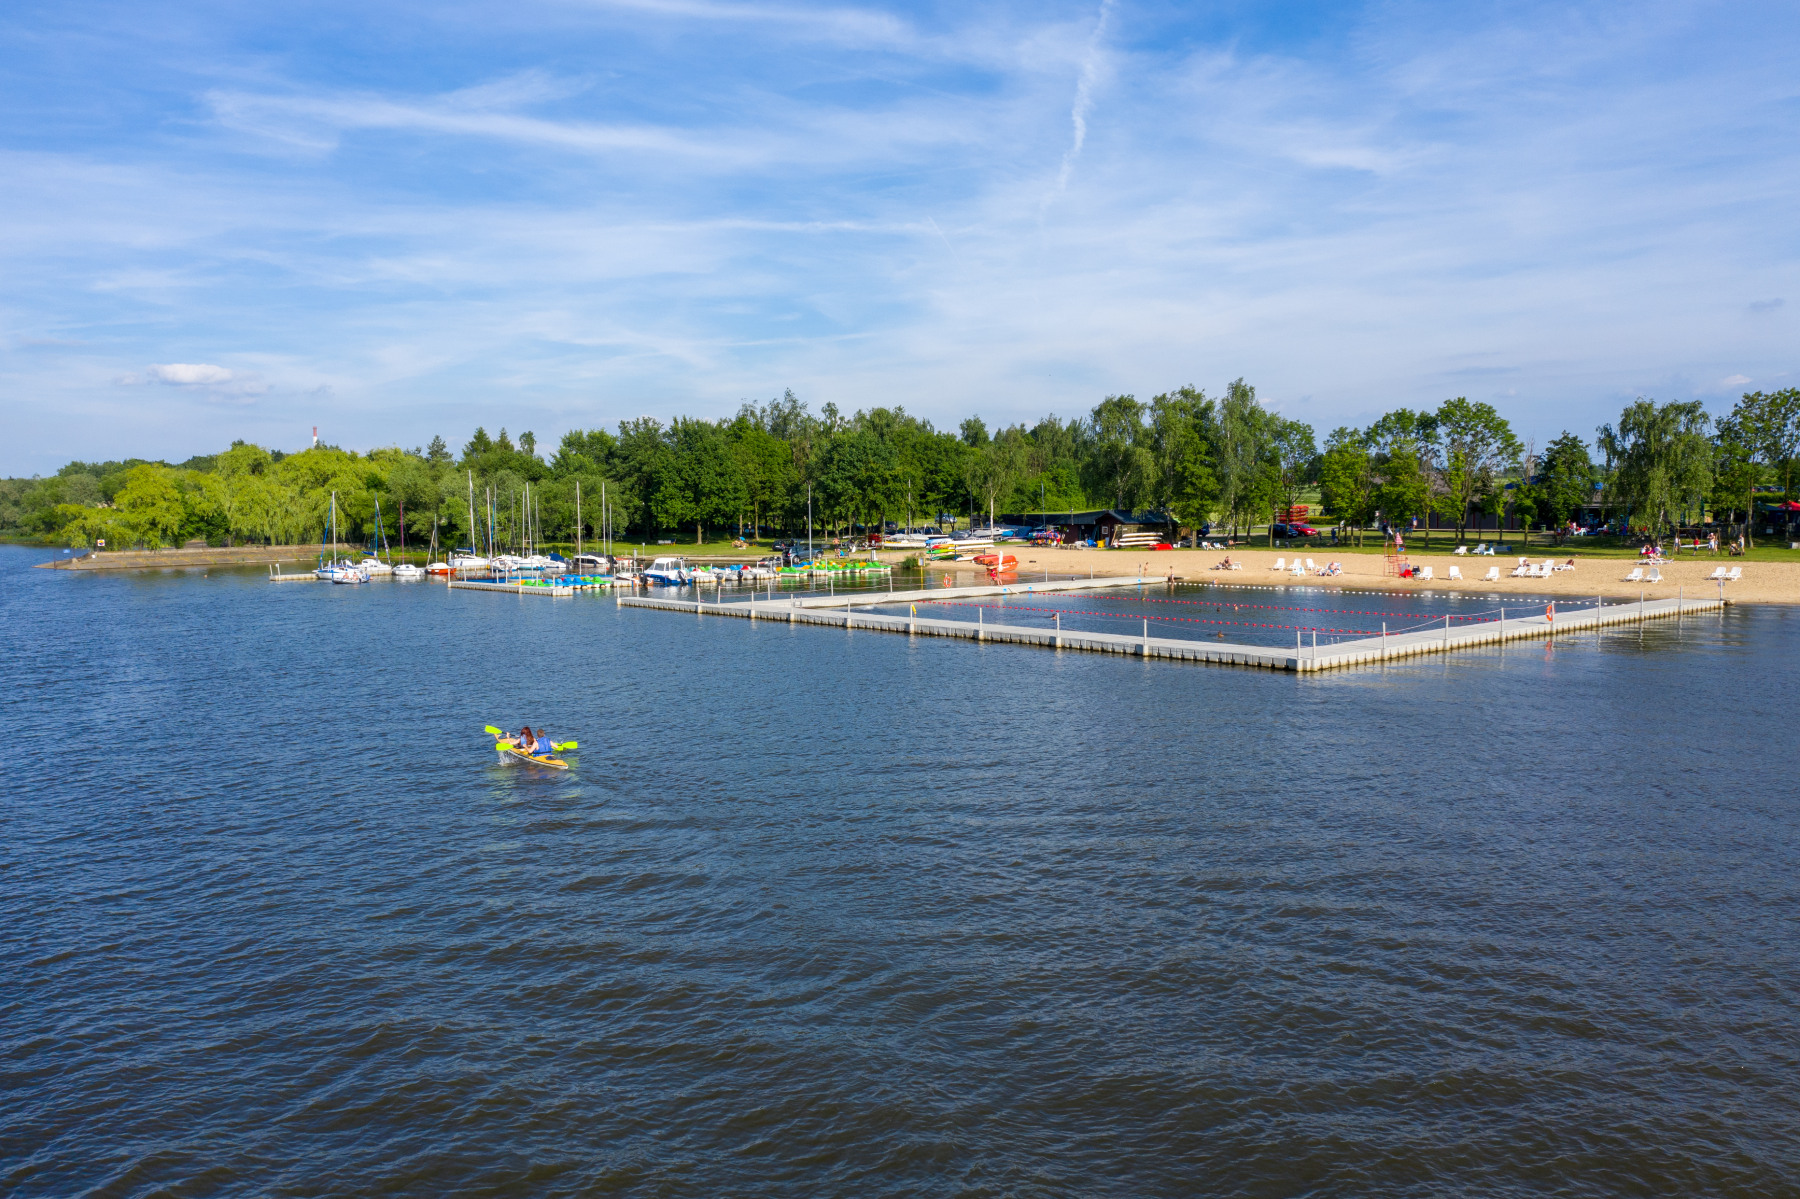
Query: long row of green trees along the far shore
(1205, 460)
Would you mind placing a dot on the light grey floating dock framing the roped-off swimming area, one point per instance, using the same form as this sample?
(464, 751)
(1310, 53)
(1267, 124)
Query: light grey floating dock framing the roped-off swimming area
(841, 613)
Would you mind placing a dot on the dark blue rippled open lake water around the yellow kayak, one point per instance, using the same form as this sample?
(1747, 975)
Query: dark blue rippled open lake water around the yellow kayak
(865, 915)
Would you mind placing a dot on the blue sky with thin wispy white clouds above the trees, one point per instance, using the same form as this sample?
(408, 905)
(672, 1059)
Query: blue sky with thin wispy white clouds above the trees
(388, 221)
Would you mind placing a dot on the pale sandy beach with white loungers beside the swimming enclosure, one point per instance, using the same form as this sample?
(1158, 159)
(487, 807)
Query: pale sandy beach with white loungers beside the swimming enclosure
(1765, 582)
